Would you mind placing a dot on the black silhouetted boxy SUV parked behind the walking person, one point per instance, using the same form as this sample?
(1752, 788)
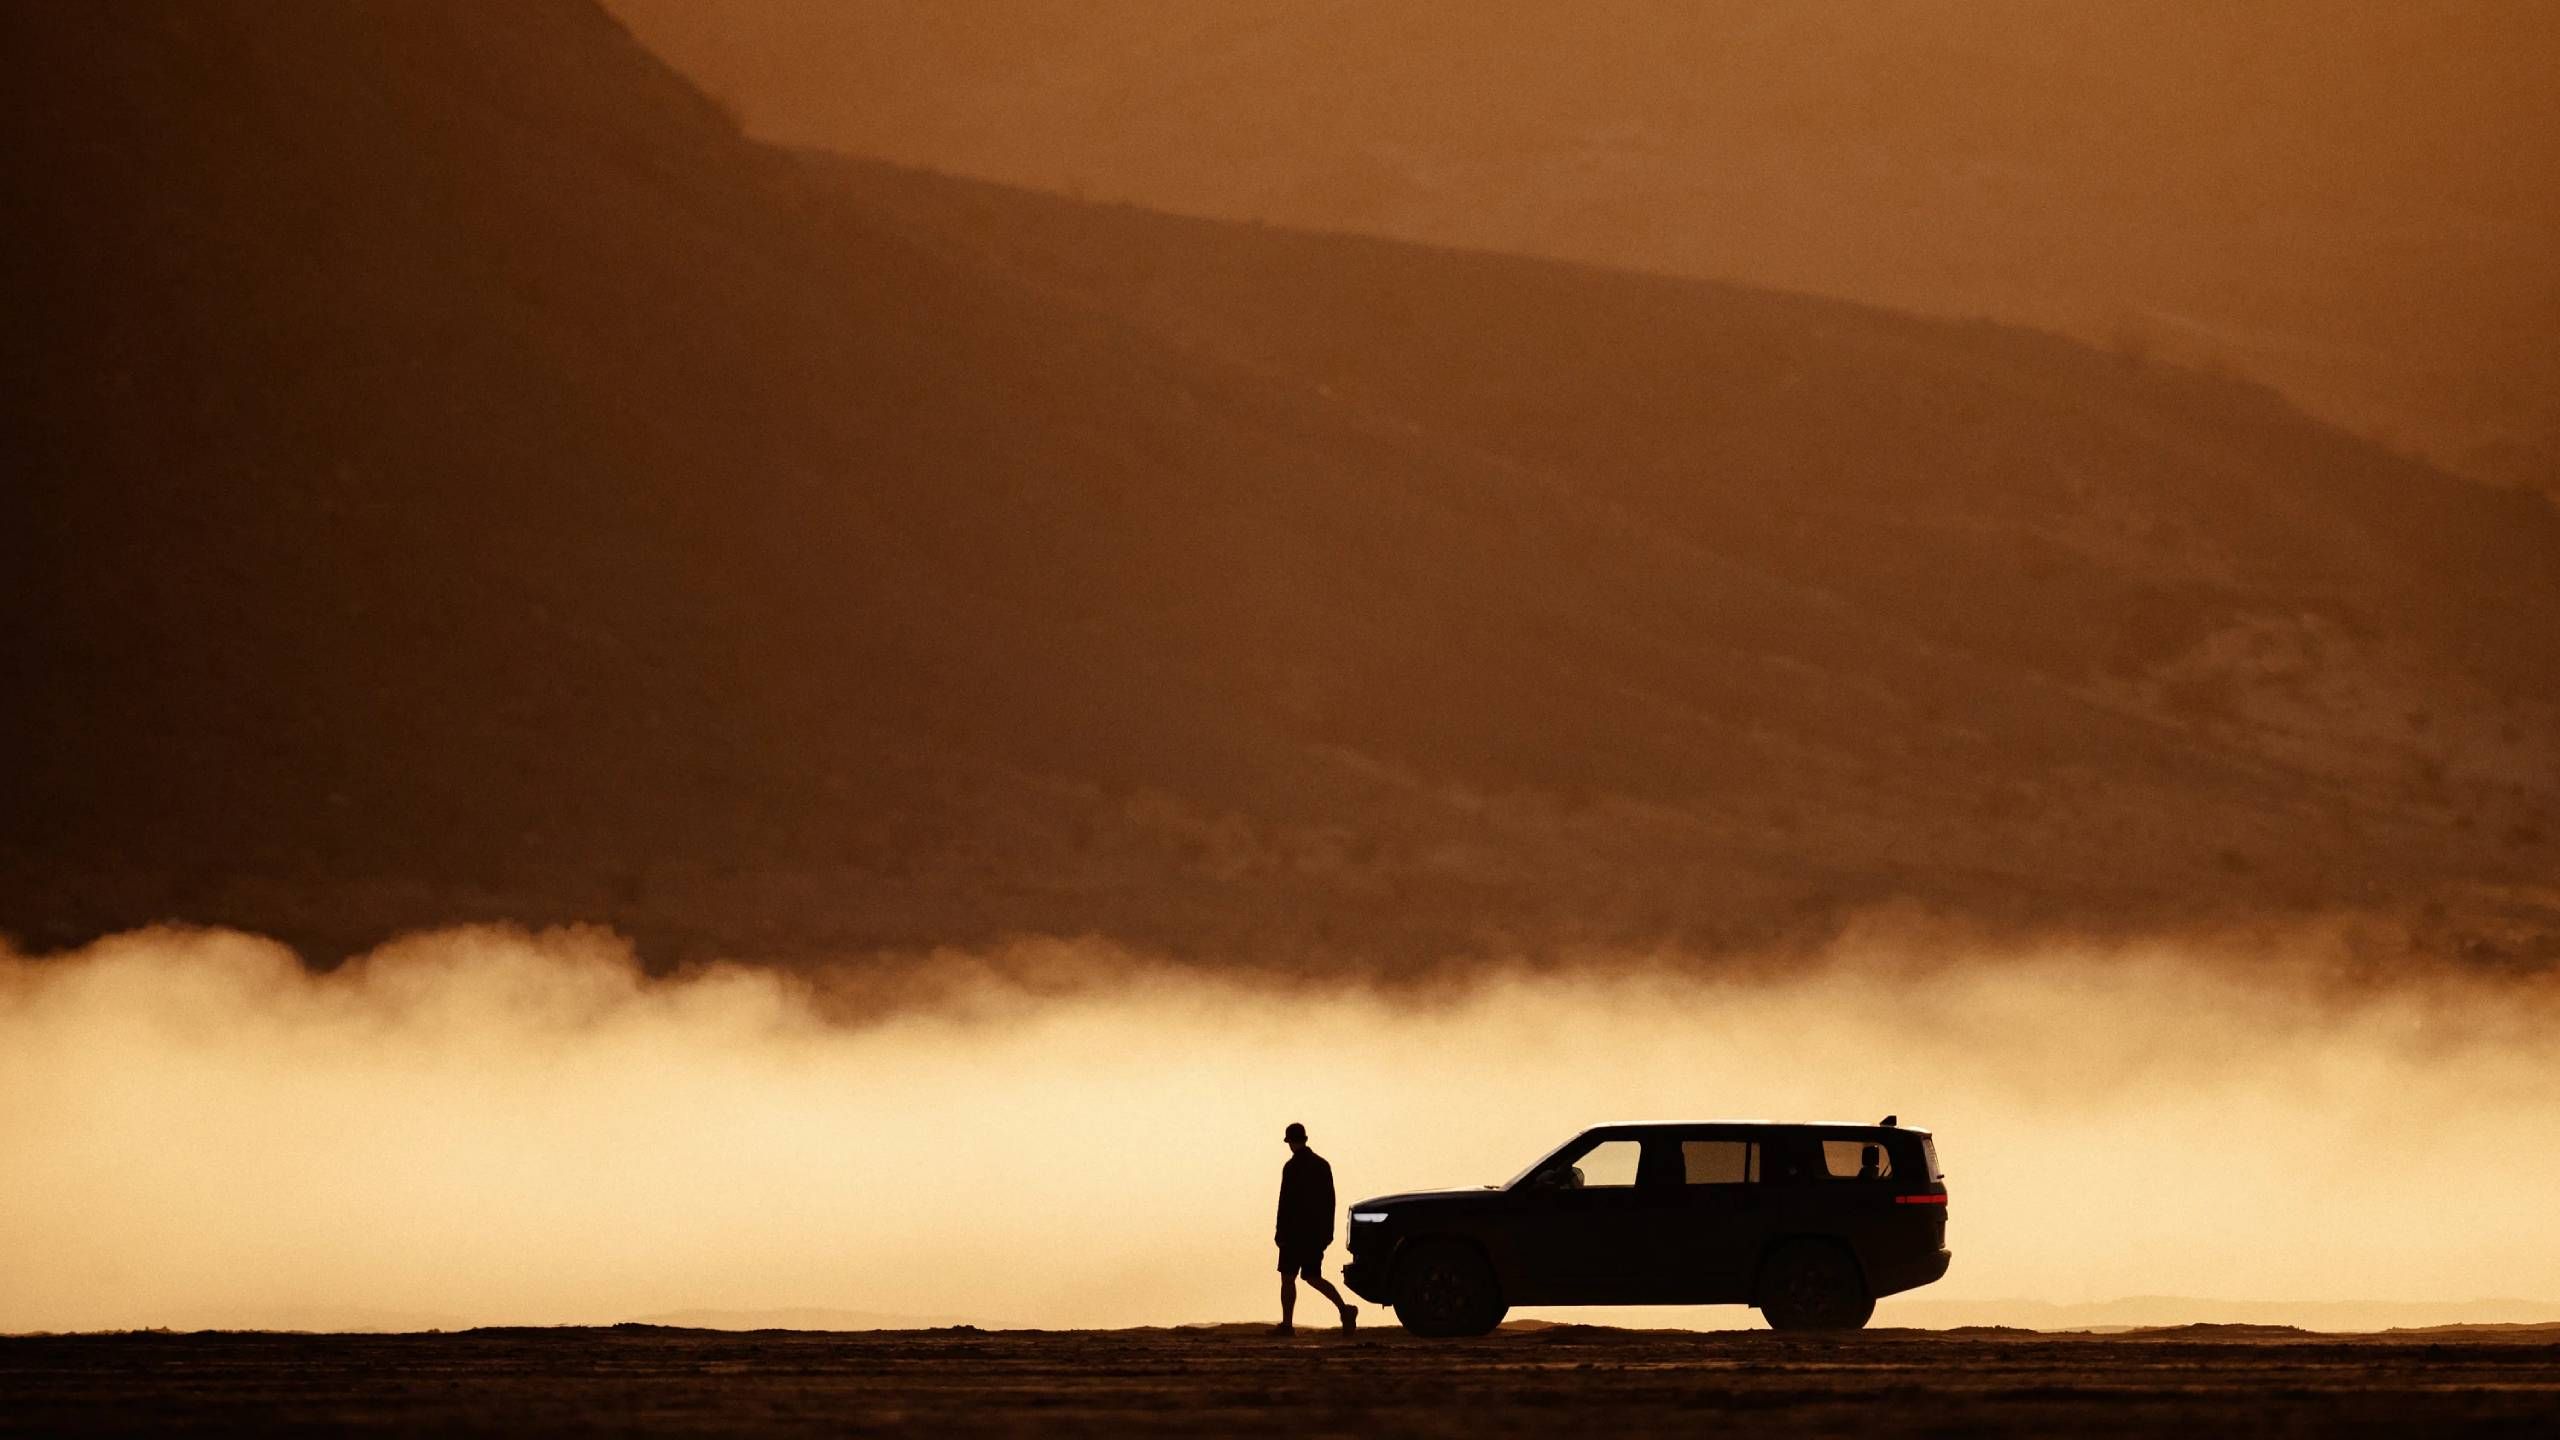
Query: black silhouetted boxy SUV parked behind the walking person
(1809, 1223)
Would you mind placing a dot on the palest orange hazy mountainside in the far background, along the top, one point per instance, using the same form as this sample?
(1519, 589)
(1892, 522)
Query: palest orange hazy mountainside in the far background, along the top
(2349, 201)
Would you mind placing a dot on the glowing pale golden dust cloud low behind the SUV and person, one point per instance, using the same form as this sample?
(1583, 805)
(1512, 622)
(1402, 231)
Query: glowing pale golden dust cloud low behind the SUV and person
(488, 1126)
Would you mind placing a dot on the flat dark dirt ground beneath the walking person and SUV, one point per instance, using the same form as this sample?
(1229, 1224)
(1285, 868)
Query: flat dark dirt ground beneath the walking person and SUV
(1238, 1380)
